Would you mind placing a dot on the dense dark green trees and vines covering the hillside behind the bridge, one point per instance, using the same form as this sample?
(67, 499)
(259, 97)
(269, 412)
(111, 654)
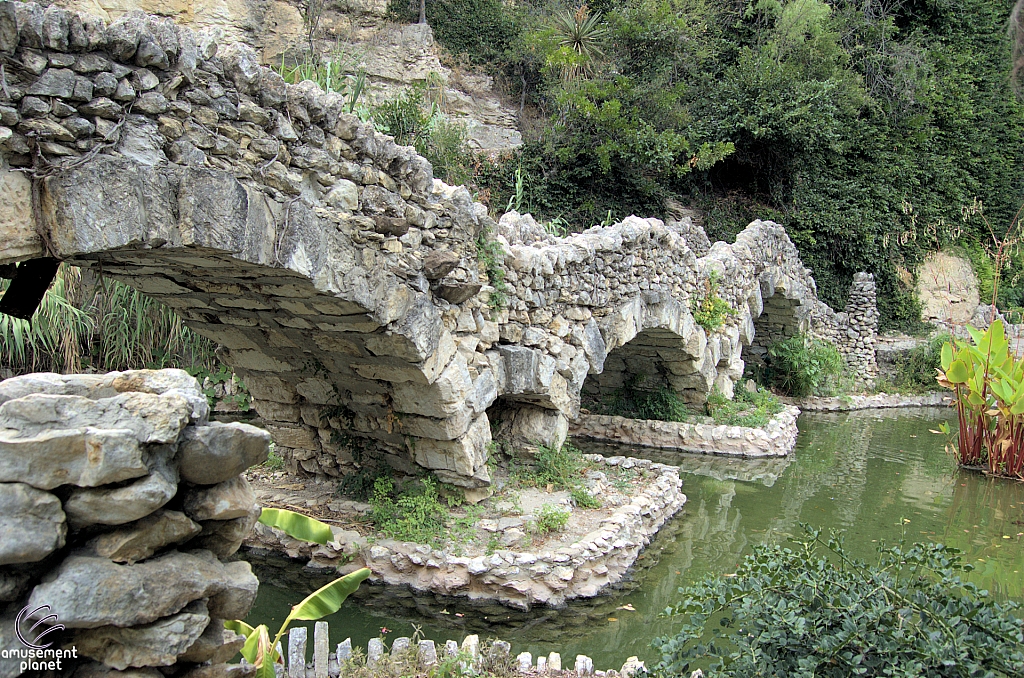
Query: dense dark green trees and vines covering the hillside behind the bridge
(875, 131)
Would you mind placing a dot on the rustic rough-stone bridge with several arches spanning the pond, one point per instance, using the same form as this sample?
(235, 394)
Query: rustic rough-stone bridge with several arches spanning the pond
(342, 280)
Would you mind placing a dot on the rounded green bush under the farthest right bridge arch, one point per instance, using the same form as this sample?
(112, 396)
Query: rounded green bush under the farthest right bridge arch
(801, 367)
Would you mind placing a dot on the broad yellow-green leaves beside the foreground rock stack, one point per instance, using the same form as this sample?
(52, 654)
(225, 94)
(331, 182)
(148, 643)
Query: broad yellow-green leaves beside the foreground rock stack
(259, 649)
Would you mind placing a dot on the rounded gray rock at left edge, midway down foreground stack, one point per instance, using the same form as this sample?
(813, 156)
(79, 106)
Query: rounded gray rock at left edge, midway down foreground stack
(31, 522)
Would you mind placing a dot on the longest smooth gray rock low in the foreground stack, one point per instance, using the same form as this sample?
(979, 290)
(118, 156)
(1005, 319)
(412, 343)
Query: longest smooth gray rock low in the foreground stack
(87, 591)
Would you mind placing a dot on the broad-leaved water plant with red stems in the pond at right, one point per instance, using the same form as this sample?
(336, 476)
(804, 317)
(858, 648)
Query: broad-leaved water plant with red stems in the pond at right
(989, 383)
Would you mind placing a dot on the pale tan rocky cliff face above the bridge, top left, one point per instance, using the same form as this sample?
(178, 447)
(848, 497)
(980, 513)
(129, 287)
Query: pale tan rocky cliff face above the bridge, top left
(394, 56)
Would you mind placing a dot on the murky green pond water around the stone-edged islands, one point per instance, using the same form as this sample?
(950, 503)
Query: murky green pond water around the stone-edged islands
(862, 473)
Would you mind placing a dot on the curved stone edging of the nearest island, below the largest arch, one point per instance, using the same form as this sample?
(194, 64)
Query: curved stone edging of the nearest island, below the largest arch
(518, 579)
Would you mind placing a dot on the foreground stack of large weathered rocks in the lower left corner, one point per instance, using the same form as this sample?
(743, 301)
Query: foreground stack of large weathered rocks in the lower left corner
(118, 500)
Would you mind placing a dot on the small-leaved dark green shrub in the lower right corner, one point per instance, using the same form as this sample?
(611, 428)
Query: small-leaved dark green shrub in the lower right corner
(814, 611)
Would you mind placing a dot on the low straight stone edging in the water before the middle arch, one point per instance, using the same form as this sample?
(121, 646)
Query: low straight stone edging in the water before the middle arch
(777, 439)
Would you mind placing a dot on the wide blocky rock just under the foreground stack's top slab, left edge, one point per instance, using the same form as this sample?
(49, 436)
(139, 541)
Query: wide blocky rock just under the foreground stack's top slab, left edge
(87, 458)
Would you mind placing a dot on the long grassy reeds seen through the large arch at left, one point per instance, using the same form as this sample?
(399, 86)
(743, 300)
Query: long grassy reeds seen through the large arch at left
(116, 328)
